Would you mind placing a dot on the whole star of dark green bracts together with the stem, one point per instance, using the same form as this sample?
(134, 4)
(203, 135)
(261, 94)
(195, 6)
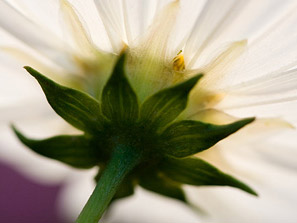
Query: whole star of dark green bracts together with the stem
(133, 144)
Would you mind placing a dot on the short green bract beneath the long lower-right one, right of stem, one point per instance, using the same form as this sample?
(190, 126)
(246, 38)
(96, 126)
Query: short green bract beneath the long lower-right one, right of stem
(159, 184)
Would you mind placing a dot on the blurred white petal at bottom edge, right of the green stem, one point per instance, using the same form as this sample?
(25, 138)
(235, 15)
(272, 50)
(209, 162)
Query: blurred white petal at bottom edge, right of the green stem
(159, 208)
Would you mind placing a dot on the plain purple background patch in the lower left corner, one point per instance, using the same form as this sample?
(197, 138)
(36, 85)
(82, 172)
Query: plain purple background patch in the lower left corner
(24, 201)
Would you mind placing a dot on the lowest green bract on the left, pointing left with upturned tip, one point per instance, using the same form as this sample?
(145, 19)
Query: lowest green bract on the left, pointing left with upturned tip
(75, 151)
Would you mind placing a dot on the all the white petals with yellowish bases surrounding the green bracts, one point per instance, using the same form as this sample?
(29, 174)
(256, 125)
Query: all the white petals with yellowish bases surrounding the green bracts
(246, 49)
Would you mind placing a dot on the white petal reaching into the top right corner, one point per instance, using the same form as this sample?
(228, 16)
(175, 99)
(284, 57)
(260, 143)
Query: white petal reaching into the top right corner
(249, 22)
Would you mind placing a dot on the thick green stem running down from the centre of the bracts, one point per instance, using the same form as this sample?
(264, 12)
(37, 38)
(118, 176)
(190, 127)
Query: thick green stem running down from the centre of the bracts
(123, 160)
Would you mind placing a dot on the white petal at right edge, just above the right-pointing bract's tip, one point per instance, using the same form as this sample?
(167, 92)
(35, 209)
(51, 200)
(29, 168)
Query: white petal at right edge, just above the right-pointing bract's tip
(267, 91)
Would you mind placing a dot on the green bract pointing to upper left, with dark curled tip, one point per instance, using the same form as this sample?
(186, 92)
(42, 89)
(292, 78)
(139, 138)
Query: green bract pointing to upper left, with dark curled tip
(75, 107)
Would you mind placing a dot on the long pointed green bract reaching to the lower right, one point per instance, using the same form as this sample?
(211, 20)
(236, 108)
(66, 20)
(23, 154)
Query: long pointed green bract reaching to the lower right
(195, 171)
